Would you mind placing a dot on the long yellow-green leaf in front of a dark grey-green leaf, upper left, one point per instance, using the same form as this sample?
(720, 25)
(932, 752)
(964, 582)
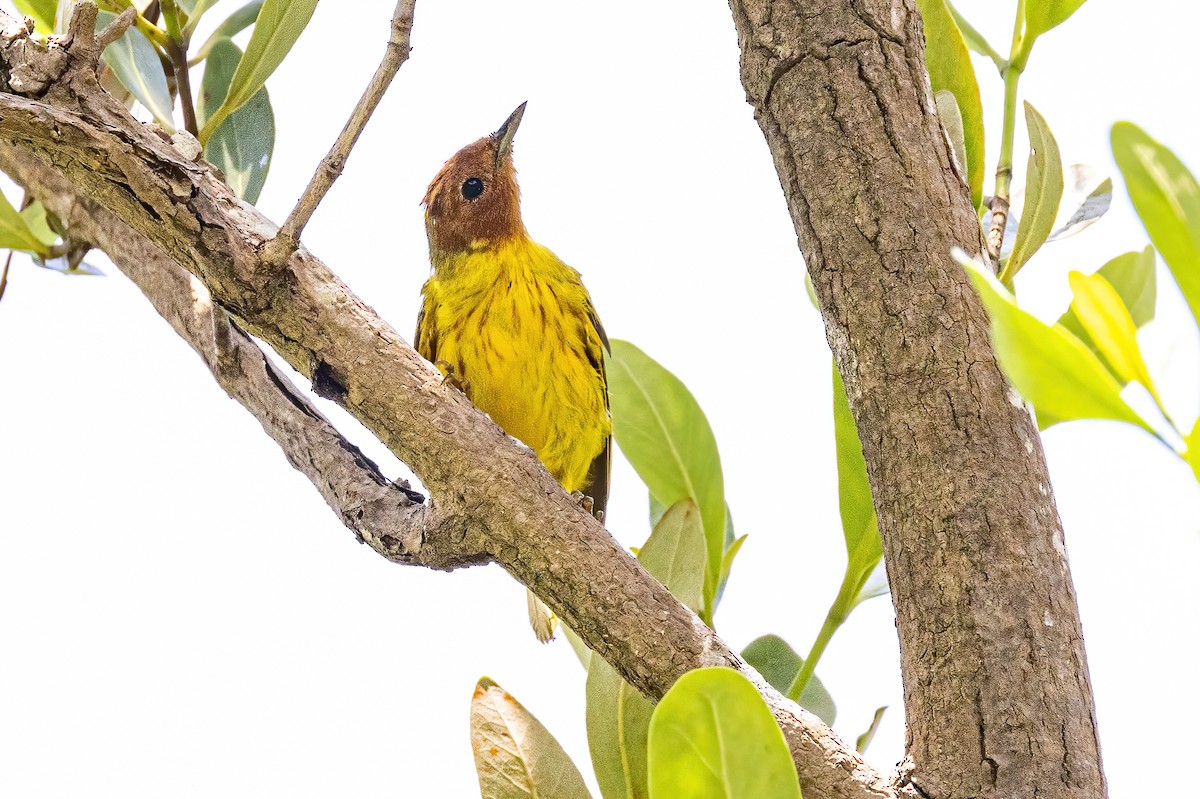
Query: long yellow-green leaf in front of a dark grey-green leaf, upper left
(280, 25)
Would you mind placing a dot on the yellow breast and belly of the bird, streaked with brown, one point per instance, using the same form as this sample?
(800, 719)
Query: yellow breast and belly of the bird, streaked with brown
(515, 328)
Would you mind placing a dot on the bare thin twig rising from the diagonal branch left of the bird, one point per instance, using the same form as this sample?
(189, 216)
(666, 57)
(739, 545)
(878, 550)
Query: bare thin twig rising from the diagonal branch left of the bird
(331, 169)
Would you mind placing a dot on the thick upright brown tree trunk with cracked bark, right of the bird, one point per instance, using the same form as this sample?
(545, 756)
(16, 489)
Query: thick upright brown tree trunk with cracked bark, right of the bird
(997, 689)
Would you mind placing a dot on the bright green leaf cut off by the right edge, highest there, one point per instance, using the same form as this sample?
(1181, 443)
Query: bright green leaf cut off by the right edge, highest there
(1168, 201)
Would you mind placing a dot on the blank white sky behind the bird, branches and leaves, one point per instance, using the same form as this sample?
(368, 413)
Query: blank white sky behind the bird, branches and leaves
(182, 616)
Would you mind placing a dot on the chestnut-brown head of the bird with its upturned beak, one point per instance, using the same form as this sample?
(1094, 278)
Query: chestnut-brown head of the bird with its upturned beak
(473, 203)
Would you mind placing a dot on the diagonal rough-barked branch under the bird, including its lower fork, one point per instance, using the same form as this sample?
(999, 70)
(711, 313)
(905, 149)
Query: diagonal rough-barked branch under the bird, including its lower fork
(129, 191)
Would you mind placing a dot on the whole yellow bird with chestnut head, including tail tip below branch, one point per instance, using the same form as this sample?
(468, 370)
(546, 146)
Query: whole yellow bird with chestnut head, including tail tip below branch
(513, 327)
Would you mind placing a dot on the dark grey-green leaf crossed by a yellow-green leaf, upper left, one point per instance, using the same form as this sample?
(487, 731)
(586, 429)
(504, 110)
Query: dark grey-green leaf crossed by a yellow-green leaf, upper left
(243, 146)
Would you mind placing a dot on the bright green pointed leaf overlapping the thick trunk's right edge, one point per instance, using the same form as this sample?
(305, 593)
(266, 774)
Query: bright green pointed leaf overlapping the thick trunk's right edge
(1046, 364)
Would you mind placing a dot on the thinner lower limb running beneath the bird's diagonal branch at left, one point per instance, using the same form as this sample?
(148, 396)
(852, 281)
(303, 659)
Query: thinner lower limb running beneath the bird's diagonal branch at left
(388, 516)
